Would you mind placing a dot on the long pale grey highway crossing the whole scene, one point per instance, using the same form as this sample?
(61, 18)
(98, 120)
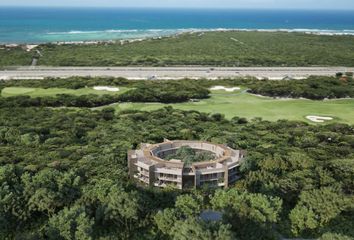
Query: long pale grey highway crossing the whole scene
(171, 72)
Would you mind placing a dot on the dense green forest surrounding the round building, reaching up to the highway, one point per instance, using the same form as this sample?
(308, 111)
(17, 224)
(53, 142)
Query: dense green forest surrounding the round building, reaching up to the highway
(64, 174)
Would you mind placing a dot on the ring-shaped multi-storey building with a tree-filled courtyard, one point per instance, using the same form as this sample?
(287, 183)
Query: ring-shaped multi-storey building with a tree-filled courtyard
(148, 166)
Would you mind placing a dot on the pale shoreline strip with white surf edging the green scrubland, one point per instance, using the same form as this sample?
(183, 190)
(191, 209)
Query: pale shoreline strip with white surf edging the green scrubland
(173, 33)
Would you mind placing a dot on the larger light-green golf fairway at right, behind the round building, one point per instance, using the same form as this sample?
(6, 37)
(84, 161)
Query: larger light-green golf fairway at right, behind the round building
(249, 106)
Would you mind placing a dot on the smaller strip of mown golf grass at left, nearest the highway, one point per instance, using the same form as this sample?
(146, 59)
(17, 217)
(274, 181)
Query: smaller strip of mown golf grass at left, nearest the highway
(41, 92)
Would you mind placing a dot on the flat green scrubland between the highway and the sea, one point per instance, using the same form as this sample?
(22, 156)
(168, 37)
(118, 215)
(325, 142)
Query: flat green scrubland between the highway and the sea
(212, 48)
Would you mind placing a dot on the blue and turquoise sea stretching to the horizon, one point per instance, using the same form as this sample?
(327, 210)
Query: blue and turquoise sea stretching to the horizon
(37, 25)
